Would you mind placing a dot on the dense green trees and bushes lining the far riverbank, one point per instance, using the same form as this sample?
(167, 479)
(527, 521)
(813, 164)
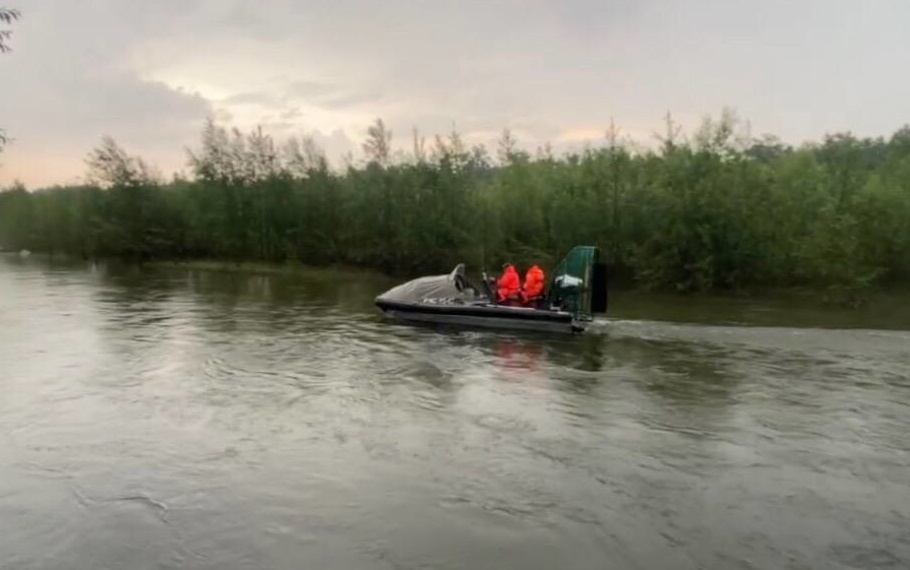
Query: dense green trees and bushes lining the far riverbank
(717, 211)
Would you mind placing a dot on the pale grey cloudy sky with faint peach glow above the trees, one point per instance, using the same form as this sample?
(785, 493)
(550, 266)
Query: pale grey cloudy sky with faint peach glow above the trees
(150, 73)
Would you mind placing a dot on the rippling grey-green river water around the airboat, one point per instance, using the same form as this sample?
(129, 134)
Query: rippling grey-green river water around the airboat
(175, 418)
